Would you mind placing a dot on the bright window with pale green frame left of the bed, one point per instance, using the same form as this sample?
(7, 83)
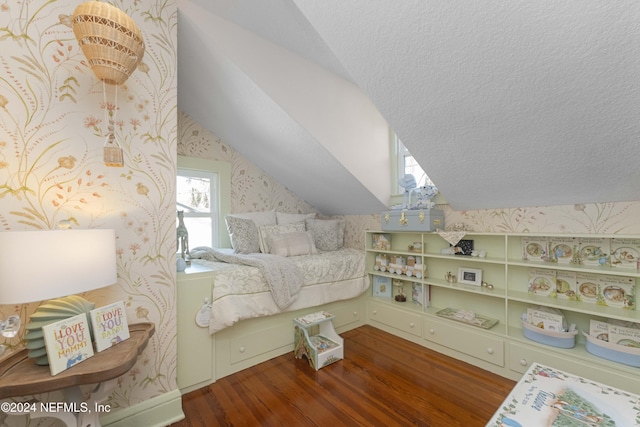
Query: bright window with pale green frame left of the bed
(203, 194)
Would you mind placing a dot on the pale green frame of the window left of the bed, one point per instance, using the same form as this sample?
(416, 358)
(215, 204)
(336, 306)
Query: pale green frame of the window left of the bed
(220, 202)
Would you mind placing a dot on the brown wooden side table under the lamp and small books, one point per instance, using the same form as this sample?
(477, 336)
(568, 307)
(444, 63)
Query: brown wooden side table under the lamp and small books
(20, 376)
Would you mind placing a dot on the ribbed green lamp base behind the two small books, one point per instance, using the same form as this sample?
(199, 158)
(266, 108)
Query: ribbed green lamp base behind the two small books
(49, 312)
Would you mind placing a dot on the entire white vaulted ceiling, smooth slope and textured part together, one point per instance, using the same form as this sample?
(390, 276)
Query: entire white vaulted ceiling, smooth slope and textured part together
(504, 104)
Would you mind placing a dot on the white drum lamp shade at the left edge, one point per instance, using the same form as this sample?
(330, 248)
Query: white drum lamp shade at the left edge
(40, 265)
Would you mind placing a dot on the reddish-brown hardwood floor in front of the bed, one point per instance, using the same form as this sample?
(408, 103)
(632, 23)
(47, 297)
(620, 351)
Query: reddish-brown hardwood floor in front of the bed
(383, 381)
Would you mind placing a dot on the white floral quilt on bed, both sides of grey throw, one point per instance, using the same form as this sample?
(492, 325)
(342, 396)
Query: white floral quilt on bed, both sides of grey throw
(241, 292)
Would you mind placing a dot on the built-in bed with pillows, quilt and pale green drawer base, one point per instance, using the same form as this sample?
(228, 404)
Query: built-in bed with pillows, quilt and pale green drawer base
(281, 266)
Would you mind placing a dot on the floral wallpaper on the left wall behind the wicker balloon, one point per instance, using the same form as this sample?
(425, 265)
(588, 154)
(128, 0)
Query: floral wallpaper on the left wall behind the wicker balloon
(53, 125)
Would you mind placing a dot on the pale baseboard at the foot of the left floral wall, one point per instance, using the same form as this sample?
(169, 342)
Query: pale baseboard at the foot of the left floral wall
(159, 411)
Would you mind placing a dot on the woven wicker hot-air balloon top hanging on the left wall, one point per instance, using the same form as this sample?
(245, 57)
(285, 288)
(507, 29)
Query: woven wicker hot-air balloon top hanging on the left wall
(110, 39)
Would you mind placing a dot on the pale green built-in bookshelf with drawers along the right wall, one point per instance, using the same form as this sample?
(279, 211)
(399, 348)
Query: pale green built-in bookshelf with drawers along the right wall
(477, 316)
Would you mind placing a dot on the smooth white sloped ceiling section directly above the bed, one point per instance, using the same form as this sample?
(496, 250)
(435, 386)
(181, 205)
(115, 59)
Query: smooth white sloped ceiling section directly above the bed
(309, 128)
